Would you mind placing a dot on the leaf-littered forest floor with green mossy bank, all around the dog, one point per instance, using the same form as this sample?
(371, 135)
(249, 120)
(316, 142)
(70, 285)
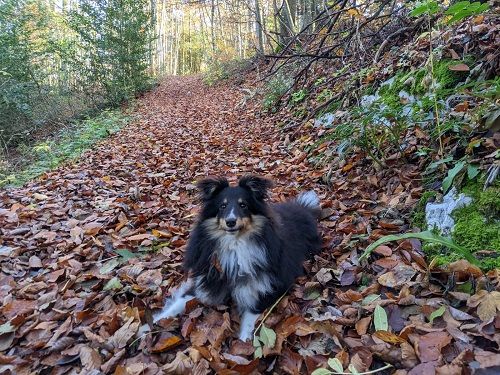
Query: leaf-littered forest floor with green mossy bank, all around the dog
(91, 248)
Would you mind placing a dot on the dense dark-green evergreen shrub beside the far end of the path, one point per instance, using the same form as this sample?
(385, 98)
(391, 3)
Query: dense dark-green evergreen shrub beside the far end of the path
(114, 37)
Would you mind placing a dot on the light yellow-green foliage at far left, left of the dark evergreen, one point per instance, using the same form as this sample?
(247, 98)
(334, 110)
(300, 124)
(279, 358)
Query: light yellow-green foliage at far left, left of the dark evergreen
(31, 46)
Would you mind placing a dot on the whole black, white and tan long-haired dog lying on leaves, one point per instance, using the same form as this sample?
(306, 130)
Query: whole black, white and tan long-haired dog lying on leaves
(244, 249)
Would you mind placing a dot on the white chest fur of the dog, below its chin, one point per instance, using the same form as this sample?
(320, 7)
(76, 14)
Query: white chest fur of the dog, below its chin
(241, 259)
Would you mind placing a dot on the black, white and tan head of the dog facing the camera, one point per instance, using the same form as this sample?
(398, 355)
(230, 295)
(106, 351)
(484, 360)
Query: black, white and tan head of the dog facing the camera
(234, 209)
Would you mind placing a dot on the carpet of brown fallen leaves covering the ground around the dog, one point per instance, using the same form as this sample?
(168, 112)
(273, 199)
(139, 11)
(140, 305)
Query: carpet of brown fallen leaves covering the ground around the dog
(90, 249)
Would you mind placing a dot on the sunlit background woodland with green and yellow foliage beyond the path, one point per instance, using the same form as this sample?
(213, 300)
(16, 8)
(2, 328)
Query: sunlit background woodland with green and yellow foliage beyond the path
(61, 58)
